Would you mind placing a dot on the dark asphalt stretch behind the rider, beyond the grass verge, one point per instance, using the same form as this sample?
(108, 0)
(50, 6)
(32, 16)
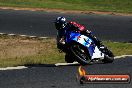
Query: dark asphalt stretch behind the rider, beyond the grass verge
(105, 27)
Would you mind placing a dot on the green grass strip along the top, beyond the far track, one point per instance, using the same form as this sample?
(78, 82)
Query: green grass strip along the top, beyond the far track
(123, 6)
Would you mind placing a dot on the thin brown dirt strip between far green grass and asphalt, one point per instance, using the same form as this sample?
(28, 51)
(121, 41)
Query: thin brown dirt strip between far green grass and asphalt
(66, 11)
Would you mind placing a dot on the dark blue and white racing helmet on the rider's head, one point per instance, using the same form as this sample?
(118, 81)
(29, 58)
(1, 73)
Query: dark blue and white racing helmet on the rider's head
(60, 22)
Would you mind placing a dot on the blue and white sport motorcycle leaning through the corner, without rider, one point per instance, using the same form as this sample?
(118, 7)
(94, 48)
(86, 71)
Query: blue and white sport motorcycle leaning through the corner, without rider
(82, 49)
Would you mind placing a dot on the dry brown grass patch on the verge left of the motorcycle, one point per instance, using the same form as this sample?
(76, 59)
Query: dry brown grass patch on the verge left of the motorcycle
(12, 47)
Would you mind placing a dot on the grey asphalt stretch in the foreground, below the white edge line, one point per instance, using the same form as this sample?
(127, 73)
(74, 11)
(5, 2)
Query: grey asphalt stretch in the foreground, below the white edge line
(48, 76)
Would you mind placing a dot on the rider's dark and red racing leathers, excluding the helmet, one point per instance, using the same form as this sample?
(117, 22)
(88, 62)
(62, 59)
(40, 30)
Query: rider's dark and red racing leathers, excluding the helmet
(74, 27)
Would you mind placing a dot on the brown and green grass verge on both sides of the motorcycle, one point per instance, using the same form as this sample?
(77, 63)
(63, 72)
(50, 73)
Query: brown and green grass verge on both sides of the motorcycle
(15, 50)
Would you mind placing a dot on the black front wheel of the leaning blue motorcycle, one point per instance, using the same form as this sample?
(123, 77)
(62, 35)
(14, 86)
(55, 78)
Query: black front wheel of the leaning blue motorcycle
(81, 53)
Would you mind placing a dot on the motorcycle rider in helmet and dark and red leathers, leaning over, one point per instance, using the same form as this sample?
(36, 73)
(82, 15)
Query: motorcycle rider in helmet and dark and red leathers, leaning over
(61, 24)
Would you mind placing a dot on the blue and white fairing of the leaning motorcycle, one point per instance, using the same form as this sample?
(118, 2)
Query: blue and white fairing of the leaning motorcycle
(87, 42)
